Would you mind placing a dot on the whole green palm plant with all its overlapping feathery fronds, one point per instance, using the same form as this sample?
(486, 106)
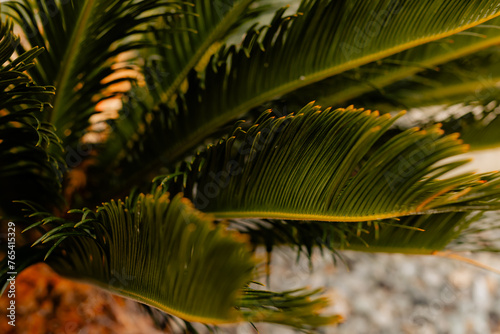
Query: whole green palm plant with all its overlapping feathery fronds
(176, 192)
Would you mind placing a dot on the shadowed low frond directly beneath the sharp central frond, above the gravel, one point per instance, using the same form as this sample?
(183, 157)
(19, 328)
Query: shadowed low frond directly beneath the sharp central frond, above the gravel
(421, 234)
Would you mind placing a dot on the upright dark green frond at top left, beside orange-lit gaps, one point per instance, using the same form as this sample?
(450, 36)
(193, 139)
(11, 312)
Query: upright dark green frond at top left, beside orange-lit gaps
(83, 39)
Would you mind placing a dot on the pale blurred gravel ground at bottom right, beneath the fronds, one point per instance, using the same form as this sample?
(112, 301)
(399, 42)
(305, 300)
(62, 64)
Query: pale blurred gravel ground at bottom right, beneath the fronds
(397, 294)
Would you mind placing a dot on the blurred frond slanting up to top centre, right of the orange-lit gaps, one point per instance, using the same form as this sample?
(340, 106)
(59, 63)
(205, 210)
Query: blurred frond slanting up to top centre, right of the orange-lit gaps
(200, 30)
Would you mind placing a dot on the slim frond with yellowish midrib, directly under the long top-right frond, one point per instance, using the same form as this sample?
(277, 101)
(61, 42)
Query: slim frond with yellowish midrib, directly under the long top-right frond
(376, 76)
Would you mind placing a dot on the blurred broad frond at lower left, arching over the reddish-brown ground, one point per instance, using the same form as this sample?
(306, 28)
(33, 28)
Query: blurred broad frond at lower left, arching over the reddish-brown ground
(166, 254)
